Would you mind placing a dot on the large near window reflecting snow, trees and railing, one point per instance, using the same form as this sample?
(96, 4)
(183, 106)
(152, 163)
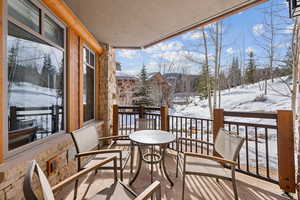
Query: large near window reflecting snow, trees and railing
(35, 82)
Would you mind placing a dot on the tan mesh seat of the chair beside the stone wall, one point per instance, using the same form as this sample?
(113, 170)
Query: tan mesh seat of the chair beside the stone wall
(98, 157)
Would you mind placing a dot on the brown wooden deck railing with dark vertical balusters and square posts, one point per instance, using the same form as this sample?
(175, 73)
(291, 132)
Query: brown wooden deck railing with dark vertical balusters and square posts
(268, 151)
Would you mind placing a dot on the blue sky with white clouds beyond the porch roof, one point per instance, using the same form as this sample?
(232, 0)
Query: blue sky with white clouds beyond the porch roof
(242, 33)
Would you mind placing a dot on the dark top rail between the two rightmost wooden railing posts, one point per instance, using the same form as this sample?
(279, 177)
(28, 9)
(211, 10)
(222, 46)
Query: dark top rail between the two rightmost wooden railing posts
(270, 115)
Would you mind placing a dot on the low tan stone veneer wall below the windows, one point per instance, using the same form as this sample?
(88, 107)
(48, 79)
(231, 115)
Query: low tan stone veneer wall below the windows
(13, 170)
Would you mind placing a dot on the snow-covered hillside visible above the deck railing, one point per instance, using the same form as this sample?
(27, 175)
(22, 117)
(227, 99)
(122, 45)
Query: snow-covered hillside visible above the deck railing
(243, 98)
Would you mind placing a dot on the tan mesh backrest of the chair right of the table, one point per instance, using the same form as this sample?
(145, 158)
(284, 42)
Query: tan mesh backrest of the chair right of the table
(228, 144)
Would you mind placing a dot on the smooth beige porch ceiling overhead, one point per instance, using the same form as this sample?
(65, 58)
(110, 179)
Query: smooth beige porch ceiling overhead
(140, 23)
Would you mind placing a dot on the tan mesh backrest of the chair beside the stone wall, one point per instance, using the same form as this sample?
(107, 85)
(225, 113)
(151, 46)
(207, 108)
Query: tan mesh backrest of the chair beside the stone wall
(85, 139)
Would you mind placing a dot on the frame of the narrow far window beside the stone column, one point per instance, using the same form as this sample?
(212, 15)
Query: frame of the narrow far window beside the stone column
(85, 46)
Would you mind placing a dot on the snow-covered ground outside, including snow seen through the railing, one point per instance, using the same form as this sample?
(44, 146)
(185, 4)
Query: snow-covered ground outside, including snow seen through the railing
(244, 98)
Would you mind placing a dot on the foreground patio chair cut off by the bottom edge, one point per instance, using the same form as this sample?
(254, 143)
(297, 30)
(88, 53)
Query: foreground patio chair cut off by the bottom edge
(117, 190)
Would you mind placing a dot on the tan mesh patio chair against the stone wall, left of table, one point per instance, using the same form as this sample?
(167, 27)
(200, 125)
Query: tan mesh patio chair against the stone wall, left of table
(87, 145)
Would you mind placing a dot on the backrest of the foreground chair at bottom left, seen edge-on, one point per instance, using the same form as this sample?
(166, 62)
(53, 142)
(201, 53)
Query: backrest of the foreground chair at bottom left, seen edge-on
(45, 186)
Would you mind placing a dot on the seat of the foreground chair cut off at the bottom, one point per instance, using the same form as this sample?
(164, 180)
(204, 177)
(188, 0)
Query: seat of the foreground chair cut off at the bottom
(116, 191)
